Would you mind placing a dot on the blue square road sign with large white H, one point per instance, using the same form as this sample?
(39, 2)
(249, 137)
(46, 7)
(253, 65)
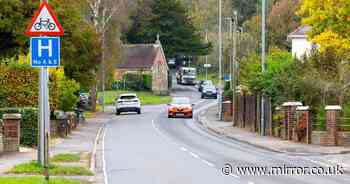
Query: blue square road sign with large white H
(45, 51)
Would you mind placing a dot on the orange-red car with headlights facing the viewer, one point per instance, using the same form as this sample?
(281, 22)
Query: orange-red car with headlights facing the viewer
(181, 107)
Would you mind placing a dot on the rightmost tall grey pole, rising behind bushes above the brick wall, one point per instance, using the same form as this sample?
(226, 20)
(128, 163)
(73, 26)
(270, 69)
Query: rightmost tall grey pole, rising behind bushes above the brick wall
(263, 65)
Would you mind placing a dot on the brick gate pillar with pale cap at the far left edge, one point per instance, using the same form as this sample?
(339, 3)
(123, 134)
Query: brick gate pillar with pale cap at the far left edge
(11, 132)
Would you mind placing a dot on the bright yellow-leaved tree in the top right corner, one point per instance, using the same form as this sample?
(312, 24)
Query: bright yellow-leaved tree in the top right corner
(330, 22)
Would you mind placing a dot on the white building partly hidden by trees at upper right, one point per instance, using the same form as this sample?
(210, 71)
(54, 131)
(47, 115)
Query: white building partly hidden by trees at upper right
(300, 43)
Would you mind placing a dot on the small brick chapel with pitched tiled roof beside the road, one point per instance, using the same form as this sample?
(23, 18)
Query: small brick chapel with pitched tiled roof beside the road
(145, 59)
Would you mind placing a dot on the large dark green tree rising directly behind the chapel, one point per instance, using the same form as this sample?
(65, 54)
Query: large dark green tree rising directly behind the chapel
(169, 19)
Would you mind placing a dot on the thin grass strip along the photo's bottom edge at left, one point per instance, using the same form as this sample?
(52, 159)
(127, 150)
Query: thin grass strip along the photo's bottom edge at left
(38, 180)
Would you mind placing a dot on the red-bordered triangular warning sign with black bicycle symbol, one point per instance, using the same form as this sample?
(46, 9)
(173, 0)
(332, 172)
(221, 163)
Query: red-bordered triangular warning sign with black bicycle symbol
(45, 23)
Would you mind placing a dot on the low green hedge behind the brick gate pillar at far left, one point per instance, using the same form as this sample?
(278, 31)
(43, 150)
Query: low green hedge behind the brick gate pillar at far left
(29, 124)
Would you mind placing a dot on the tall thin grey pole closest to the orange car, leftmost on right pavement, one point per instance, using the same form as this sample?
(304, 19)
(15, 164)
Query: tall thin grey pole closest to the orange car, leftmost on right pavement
(220, 60)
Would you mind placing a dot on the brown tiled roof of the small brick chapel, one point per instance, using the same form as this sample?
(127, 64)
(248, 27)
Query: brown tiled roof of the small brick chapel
(138, 56)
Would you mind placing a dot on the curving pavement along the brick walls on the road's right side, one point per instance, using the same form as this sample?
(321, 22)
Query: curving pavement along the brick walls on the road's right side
(327, 154)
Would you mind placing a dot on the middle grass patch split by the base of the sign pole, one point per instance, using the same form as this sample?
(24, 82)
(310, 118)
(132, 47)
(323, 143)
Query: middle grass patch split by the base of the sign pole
(34, 168)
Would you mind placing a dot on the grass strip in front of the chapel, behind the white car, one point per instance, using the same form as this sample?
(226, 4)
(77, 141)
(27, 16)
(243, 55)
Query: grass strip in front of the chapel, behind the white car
(147, 98)
